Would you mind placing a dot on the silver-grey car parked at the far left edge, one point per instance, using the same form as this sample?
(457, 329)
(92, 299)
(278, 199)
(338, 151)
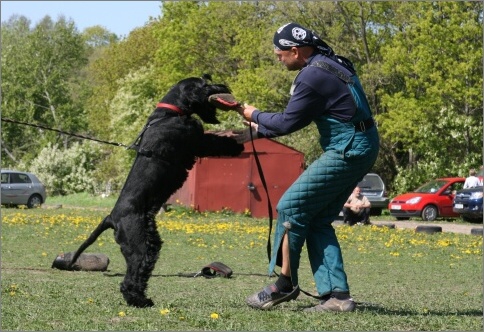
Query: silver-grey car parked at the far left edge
(22, 188)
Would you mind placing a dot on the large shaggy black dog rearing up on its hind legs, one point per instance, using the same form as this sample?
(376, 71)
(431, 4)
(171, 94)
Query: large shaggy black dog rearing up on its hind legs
(167, 148)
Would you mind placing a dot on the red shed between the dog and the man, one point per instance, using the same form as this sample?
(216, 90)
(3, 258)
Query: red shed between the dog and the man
(234, 183)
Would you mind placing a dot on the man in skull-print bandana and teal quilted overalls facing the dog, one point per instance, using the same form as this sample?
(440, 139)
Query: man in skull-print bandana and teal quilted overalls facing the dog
(325, 91)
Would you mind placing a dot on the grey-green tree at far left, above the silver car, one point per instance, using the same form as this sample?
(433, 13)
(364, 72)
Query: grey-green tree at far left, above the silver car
(39, 82)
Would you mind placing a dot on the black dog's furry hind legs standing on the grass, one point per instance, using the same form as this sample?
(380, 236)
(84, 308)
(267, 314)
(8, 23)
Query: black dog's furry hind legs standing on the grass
(141, 254)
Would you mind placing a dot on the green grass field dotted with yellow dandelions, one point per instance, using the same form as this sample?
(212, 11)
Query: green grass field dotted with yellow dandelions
(400, 279)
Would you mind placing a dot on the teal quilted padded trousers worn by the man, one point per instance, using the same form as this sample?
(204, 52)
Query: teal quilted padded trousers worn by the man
(306, 212)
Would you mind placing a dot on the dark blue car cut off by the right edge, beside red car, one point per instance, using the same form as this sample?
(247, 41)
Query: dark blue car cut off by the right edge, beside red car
(468, 202)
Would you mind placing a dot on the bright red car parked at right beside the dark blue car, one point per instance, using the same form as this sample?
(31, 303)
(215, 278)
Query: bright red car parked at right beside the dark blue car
(430, 201)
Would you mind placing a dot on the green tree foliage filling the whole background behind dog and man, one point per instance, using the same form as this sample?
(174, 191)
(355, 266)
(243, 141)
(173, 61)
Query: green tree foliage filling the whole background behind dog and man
(420, 64)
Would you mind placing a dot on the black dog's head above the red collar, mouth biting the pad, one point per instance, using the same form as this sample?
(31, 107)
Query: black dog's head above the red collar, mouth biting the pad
(191, 96)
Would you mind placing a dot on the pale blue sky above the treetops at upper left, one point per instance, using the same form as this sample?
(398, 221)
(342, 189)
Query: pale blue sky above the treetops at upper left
(119, 17)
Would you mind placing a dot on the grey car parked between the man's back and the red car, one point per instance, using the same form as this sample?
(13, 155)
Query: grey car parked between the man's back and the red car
(373, 188)
